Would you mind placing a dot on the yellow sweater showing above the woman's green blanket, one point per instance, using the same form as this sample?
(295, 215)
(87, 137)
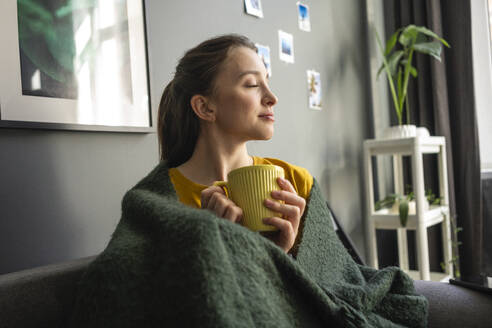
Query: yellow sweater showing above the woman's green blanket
(189, 192)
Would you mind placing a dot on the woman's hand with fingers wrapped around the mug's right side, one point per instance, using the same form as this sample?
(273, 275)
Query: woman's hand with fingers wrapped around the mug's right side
(292, 211)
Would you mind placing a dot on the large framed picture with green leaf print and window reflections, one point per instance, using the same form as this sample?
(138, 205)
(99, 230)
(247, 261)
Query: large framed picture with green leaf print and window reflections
(74, 65)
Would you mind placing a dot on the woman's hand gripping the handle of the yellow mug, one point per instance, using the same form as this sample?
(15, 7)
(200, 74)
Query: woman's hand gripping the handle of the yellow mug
(214, 199)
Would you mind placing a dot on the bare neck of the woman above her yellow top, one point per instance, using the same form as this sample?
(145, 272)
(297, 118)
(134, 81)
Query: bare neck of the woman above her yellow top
(213, 158)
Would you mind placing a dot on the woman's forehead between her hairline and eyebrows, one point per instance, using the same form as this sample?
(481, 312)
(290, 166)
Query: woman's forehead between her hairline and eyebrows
(242, 59)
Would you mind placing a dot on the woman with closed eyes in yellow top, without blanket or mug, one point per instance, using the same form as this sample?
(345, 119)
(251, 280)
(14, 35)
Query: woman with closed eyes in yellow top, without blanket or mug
(218, 100)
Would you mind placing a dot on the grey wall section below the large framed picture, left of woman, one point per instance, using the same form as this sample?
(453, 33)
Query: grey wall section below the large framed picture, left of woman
(60, 192)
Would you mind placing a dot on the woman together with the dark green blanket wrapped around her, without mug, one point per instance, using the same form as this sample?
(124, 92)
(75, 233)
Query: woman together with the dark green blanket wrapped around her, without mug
(172, 265)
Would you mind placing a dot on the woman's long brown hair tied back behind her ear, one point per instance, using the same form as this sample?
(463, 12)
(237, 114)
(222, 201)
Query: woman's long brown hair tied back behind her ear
(178, 126)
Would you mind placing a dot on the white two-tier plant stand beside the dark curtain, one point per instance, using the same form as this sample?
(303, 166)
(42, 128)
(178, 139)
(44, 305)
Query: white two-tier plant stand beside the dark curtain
(424, 215)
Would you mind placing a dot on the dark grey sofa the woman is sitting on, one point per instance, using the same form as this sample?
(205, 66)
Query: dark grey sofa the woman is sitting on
(42, 297)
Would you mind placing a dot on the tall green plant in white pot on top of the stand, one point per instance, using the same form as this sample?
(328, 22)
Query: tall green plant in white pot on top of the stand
(397, 64)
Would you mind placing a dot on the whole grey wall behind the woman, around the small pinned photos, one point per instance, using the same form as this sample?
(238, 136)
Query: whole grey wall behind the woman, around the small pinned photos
(60, 192)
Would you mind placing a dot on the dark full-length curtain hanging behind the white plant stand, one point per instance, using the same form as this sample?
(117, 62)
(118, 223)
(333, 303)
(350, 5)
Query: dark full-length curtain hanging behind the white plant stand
(442, 99)
